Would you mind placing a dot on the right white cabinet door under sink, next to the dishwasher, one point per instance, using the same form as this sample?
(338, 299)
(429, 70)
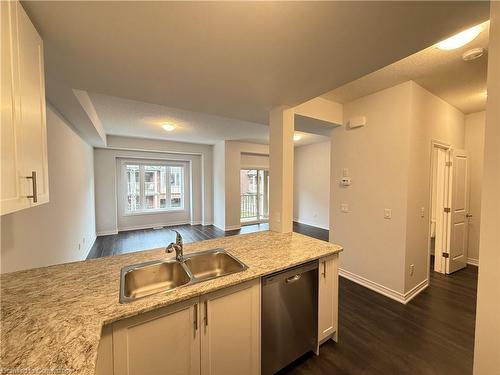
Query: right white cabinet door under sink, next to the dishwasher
(230, 342)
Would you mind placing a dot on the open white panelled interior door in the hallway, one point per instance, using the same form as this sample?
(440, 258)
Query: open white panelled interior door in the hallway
(459, 205)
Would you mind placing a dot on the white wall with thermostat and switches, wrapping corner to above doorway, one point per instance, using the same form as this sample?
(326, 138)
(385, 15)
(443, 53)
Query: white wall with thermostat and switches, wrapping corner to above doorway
(389, 164)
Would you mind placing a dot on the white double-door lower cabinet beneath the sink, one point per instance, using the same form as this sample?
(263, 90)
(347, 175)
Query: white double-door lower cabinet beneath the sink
(218, 333)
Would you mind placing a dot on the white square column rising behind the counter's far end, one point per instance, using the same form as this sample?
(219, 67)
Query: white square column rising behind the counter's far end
(281, 123)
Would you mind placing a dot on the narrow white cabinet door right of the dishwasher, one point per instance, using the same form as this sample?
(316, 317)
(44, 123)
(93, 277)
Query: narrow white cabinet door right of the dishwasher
(327, 298)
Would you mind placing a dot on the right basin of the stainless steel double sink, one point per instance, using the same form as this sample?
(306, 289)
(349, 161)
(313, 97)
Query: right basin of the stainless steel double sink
(209, 264)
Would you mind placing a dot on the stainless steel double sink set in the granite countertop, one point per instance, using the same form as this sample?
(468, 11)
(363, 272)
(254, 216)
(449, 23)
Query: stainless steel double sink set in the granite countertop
(144, 279)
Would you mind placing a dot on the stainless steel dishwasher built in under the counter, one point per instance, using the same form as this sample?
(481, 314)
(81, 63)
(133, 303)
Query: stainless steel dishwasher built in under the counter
(289, 316)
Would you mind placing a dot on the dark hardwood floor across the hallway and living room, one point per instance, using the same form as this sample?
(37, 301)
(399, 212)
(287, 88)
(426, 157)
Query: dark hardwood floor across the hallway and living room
(432, 334)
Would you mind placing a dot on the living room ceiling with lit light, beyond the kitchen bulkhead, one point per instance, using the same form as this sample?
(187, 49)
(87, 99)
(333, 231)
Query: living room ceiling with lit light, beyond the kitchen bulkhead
(143, 120)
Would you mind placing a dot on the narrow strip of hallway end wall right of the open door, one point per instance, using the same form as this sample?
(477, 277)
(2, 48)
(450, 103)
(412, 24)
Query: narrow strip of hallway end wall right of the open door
(474, 144)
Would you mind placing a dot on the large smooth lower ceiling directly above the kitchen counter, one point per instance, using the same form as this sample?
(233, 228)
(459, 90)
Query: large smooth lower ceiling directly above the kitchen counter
(230, 59)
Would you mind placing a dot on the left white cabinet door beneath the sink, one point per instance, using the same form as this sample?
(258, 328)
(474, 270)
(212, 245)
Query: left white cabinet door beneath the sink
(164, 341)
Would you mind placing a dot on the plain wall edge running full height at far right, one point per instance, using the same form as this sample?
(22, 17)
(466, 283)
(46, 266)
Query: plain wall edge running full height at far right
(487, 343)
